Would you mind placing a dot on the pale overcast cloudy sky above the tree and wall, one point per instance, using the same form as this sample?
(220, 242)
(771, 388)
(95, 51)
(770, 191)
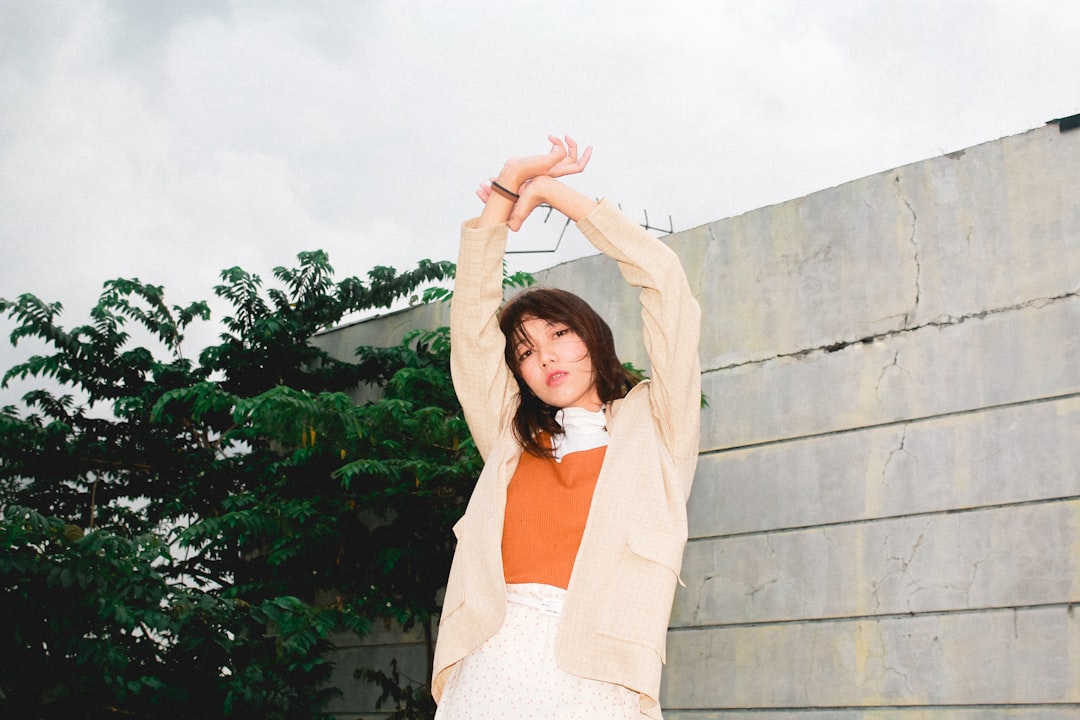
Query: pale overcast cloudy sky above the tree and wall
(169, 141)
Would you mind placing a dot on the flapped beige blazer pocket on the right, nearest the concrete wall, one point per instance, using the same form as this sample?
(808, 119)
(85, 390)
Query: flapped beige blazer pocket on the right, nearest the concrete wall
(640, 605)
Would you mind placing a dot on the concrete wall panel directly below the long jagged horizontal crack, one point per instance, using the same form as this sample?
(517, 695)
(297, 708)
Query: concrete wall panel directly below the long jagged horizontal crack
(980, 363)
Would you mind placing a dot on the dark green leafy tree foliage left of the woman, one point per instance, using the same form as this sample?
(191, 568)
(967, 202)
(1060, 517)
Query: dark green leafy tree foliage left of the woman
(184, 538)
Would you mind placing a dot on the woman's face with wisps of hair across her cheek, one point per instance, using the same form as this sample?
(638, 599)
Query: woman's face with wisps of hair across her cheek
(556, 365)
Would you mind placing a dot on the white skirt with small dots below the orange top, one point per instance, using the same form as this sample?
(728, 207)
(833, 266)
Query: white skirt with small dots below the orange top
(514, 675)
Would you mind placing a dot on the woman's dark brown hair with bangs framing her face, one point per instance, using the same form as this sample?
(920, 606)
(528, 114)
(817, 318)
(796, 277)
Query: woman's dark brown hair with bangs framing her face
(611, 378)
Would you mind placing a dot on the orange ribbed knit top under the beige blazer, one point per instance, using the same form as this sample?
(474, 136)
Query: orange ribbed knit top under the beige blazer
(547, 507)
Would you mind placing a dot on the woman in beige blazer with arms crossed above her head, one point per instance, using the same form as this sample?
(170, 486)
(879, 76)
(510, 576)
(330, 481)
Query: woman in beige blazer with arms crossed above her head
(569, 553)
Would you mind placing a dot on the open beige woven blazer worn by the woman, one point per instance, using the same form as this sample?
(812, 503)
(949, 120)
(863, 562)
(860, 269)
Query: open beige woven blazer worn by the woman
(618, 603)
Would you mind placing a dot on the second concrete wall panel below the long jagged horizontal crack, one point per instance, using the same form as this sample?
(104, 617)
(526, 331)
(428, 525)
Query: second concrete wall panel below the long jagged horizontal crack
(1007, 455)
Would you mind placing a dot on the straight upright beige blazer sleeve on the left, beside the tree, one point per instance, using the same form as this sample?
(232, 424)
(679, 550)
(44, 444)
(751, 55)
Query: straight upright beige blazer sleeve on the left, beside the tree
(484, 385)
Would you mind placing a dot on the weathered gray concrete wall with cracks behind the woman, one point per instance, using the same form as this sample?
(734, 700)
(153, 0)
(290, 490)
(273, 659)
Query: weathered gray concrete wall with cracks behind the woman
(886, 520)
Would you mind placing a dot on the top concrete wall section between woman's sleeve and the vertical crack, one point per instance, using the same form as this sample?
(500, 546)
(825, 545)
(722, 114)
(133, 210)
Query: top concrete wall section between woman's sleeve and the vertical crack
(789, 278)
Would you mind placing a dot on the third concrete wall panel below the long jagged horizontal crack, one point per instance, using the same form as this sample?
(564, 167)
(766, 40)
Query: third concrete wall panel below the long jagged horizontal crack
(989, 559)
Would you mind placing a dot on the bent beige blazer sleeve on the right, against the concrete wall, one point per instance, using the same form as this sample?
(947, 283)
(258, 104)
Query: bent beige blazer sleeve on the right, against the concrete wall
(671, 323)
